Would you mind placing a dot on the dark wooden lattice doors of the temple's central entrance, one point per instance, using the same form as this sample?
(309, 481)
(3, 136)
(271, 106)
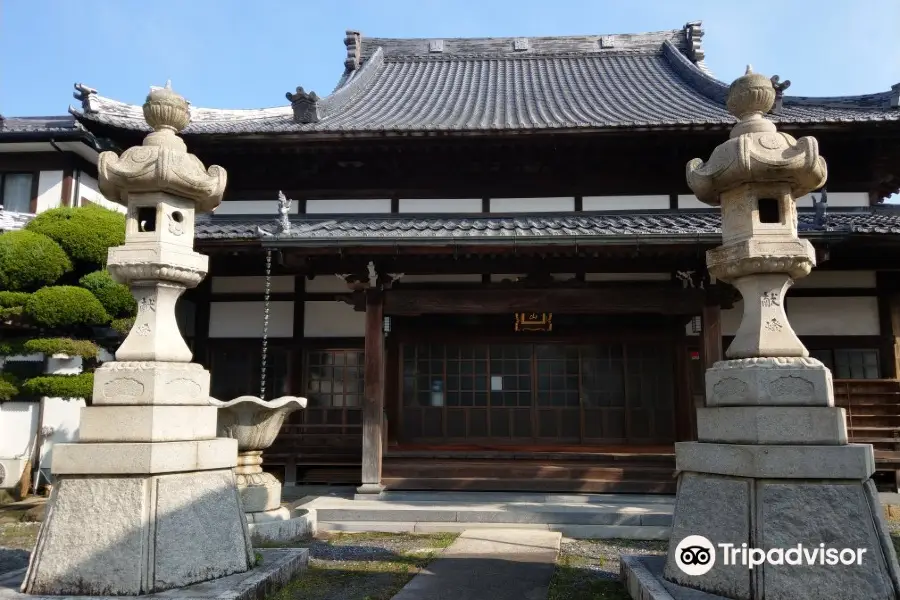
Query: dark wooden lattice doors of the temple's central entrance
(542, 393)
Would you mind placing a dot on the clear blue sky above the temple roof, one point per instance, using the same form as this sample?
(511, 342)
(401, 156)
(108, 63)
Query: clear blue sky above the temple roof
(248, 53)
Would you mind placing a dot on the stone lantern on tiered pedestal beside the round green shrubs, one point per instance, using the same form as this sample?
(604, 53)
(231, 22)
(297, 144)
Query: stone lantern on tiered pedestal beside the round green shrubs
(146, 500)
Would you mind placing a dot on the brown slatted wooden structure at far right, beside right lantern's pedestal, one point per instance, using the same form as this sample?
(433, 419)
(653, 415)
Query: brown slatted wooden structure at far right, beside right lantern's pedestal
(873, 417)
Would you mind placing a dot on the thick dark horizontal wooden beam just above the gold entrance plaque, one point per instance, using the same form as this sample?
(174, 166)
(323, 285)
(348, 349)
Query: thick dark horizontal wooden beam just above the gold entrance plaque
(663, 299)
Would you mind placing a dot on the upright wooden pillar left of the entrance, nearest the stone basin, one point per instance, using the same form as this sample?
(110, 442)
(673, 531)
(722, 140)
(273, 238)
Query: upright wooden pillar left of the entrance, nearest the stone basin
(373, 403)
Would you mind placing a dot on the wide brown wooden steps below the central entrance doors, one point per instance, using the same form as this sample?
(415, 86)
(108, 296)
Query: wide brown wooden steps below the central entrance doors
(562, 472)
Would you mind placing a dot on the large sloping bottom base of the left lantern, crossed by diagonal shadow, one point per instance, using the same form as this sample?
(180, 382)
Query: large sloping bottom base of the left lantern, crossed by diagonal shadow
(108, 536)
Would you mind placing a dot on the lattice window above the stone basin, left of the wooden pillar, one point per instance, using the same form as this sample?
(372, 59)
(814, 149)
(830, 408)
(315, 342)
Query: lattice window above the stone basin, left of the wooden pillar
(335, 378)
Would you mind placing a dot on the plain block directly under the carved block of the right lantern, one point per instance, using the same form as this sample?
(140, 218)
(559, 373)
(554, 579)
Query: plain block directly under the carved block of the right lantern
(824, 425)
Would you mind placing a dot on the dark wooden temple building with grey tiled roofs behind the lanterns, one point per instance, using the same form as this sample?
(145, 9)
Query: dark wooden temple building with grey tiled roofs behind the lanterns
(486, 271)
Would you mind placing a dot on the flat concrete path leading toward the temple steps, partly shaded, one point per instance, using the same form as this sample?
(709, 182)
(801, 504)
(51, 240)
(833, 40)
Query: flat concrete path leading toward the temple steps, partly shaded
(489, 564)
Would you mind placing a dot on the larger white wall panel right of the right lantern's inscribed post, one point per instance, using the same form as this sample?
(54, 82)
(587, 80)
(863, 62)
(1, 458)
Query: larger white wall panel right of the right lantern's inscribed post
(857, 315)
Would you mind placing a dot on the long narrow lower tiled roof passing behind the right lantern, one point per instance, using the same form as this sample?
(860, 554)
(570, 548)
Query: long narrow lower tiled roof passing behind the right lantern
(349, 229)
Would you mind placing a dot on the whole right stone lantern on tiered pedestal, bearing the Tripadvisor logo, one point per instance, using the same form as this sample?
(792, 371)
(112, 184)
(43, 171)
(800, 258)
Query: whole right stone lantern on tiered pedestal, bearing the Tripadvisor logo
(772, 467)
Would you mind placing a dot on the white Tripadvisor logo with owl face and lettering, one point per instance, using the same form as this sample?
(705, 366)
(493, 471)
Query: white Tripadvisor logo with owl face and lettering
(696, 555)
